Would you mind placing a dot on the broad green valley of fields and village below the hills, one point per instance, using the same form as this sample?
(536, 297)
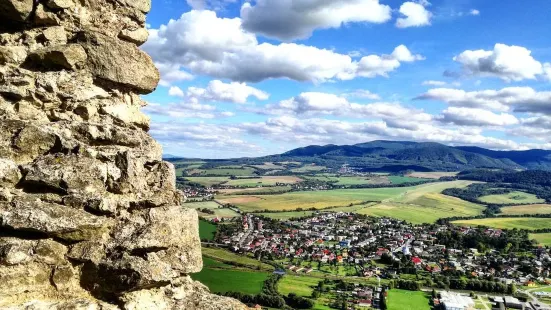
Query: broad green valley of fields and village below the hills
(246, 205)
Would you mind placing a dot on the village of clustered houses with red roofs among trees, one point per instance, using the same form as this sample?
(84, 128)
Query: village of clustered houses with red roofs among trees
(402, 255)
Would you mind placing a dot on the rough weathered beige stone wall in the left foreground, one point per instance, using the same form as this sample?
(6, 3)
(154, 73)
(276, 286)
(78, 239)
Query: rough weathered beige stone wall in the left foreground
(89, 214)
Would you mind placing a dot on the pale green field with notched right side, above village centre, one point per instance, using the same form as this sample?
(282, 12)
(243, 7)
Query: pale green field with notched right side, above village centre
(425, 204)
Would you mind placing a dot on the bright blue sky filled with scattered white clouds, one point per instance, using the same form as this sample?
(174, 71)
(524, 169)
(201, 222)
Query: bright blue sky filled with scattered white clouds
(250, 78)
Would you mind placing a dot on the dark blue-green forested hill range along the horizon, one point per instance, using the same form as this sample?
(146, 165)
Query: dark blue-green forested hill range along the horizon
(419, 156)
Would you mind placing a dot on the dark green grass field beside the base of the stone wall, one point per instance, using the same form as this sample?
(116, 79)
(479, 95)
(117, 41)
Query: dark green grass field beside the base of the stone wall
(221, 280)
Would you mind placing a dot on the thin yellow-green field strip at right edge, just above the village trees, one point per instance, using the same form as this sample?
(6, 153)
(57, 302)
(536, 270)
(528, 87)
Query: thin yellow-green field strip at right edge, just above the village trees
(528, 223)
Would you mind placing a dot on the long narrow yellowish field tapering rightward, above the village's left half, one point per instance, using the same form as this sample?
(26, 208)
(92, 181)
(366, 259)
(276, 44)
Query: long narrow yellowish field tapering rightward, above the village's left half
(312, 199)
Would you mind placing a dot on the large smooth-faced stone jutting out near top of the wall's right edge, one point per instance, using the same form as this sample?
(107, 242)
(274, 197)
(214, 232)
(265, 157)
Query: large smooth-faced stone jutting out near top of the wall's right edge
(120, 63)
